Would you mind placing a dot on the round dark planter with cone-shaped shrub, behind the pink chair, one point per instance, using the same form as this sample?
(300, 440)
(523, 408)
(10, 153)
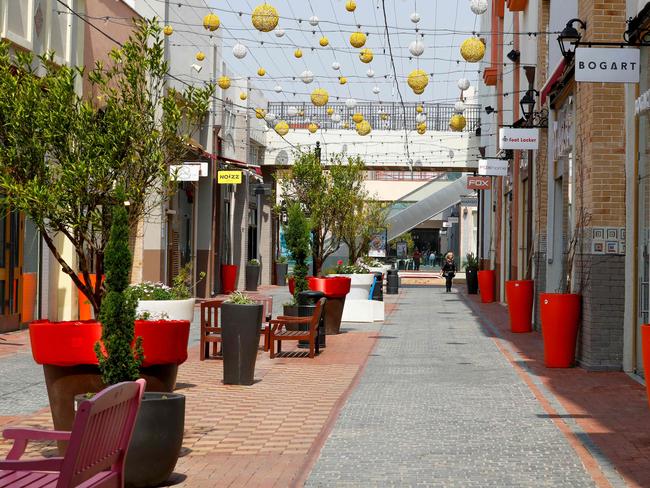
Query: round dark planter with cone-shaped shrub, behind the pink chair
(157, 439)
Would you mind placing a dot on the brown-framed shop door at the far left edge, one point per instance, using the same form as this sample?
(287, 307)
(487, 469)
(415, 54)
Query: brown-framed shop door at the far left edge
(11, 237)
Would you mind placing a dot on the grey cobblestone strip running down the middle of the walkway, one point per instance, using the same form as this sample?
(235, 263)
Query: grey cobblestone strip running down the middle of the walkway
(439, 405)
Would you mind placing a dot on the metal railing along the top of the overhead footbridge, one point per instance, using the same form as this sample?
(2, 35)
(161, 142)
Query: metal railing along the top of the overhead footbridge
(384, 116)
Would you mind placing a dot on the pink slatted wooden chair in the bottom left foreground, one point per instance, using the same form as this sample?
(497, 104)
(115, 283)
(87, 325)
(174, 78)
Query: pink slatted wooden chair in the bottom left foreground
(95, 457)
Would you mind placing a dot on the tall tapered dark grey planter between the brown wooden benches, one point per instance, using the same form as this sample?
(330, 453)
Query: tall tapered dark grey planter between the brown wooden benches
(240, 337)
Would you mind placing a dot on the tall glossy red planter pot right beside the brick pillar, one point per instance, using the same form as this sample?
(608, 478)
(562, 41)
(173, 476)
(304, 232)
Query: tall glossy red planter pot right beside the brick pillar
(560, 313)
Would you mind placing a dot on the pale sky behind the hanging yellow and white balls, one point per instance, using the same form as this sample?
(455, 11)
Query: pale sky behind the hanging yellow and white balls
(443, 26)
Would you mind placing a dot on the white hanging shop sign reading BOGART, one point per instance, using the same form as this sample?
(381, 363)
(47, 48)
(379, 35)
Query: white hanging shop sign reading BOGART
(607, 65)
